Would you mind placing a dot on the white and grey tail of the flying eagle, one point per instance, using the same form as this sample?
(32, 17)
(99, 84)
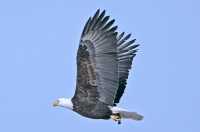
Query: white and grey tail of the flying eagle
(126, 114)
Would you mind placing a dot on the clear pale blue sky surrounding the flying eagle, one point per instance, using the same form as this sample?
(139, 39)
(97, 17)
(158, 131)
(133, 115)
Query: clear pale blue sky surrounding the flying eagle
(38, 45)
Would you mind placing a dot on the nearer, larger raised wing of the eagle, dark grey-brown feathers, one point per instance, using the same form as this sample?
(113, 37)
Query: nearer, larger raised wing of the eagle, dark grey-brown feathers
(97, 61)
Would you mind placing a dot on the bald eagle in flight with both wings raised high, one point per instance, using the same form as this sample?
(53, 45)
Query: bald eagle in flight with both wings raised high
(104, 59)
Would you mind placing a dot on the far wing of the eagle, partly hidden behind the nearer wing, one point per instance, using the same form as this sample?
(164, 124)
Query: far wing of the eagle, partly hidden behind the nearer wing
(126, 51)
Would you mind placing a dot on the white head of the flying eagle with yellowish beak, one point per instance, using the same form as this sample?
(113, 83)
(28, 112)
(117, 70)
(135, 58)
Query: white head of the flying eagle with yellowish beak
(63, 102)
